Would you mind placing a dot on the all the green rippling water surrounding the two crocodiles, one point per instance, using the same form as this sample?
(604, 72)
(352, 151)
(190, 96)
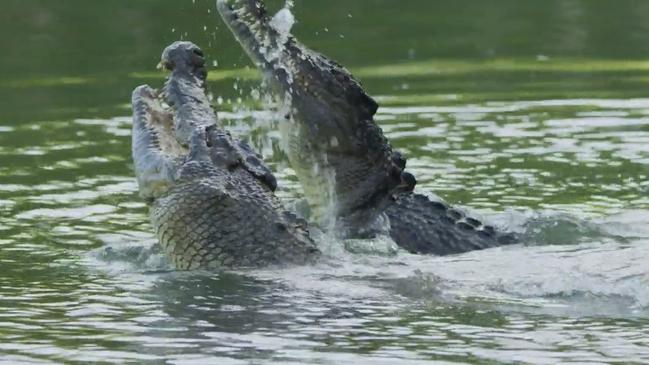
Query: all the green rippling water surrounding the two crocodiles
(532, 114)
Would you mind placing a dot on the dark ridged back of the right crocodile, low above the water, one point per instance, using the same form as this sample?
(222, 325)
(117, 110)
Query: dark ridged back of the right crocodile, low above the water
(423, 226)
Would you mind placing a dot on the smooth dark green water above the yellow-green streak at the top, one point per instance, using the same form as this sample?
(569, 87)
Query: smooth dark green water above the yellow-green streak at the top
(47, 36)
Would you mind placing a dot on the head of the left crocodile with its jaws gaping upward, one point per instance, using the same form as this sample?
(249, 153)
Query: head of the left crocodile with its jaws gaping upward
(173, 125)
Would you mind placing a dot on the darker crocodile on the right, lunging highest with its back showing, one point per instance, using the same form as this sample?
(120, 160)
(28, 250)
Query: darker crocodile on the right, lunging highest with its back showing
(346, 165)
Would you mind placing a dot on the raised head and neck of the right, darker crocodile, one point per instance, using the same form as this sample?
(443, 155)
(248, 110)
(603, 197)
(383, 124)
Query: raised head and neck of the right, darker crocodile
(344, 162)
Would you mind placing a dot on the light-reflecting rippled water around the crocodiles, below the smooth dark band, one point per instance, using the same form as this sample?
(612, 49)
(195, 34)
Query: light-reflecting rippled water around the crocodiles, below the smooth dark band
(83, 281)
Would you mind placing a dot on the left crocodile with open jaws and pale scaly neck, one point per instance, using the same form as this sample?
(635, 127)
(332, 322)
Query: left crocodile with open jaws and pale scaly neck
(211, 197)
